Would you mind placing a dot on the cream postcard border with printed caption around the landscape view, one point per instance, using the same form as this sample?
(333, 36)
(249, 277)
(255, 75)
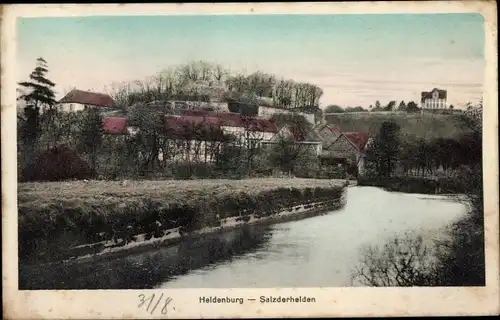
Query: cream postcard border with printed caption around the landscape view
(185, 302)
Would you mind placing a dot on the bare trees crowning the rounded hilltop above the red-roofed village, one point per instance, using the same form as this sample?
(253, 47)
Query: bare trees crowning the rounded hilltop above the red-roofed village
(203, 81)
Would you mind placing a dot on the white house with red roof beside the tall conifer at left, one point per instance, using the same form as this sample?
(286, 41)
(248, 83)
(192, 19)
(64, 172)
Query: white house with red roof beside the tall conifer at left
(78, 100)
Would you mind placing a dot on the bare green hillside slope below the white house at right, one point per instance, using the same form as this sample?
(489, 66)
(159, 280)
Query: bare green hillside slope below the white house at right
(427, 126)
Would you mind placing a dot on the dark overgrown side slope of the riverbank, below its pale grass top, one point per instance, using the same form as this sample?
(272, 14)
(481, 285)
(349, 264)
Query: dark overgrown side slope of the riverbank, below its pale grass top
(46, 229)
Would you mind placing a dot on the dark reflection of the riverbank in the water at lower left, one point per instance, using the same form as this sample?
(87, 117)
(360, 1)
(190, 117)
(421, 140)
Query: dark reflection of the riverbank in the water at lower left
(145, 270)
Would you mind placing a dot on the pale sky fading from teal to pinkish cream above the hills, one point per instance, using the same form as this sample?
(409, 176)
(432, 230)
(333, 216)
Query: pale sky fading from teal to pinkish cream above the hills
(355, 58)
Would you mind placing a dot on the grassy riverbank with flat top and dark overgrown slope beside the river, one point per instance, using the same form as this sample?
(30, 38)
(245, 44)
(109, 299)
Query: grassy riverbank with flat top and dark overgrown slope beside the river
(57, 216)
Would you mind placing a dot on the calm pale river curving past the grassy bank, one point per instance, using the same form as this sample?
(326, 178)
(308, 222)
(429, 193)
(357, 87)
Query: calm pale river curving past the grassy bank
(318, 251)
